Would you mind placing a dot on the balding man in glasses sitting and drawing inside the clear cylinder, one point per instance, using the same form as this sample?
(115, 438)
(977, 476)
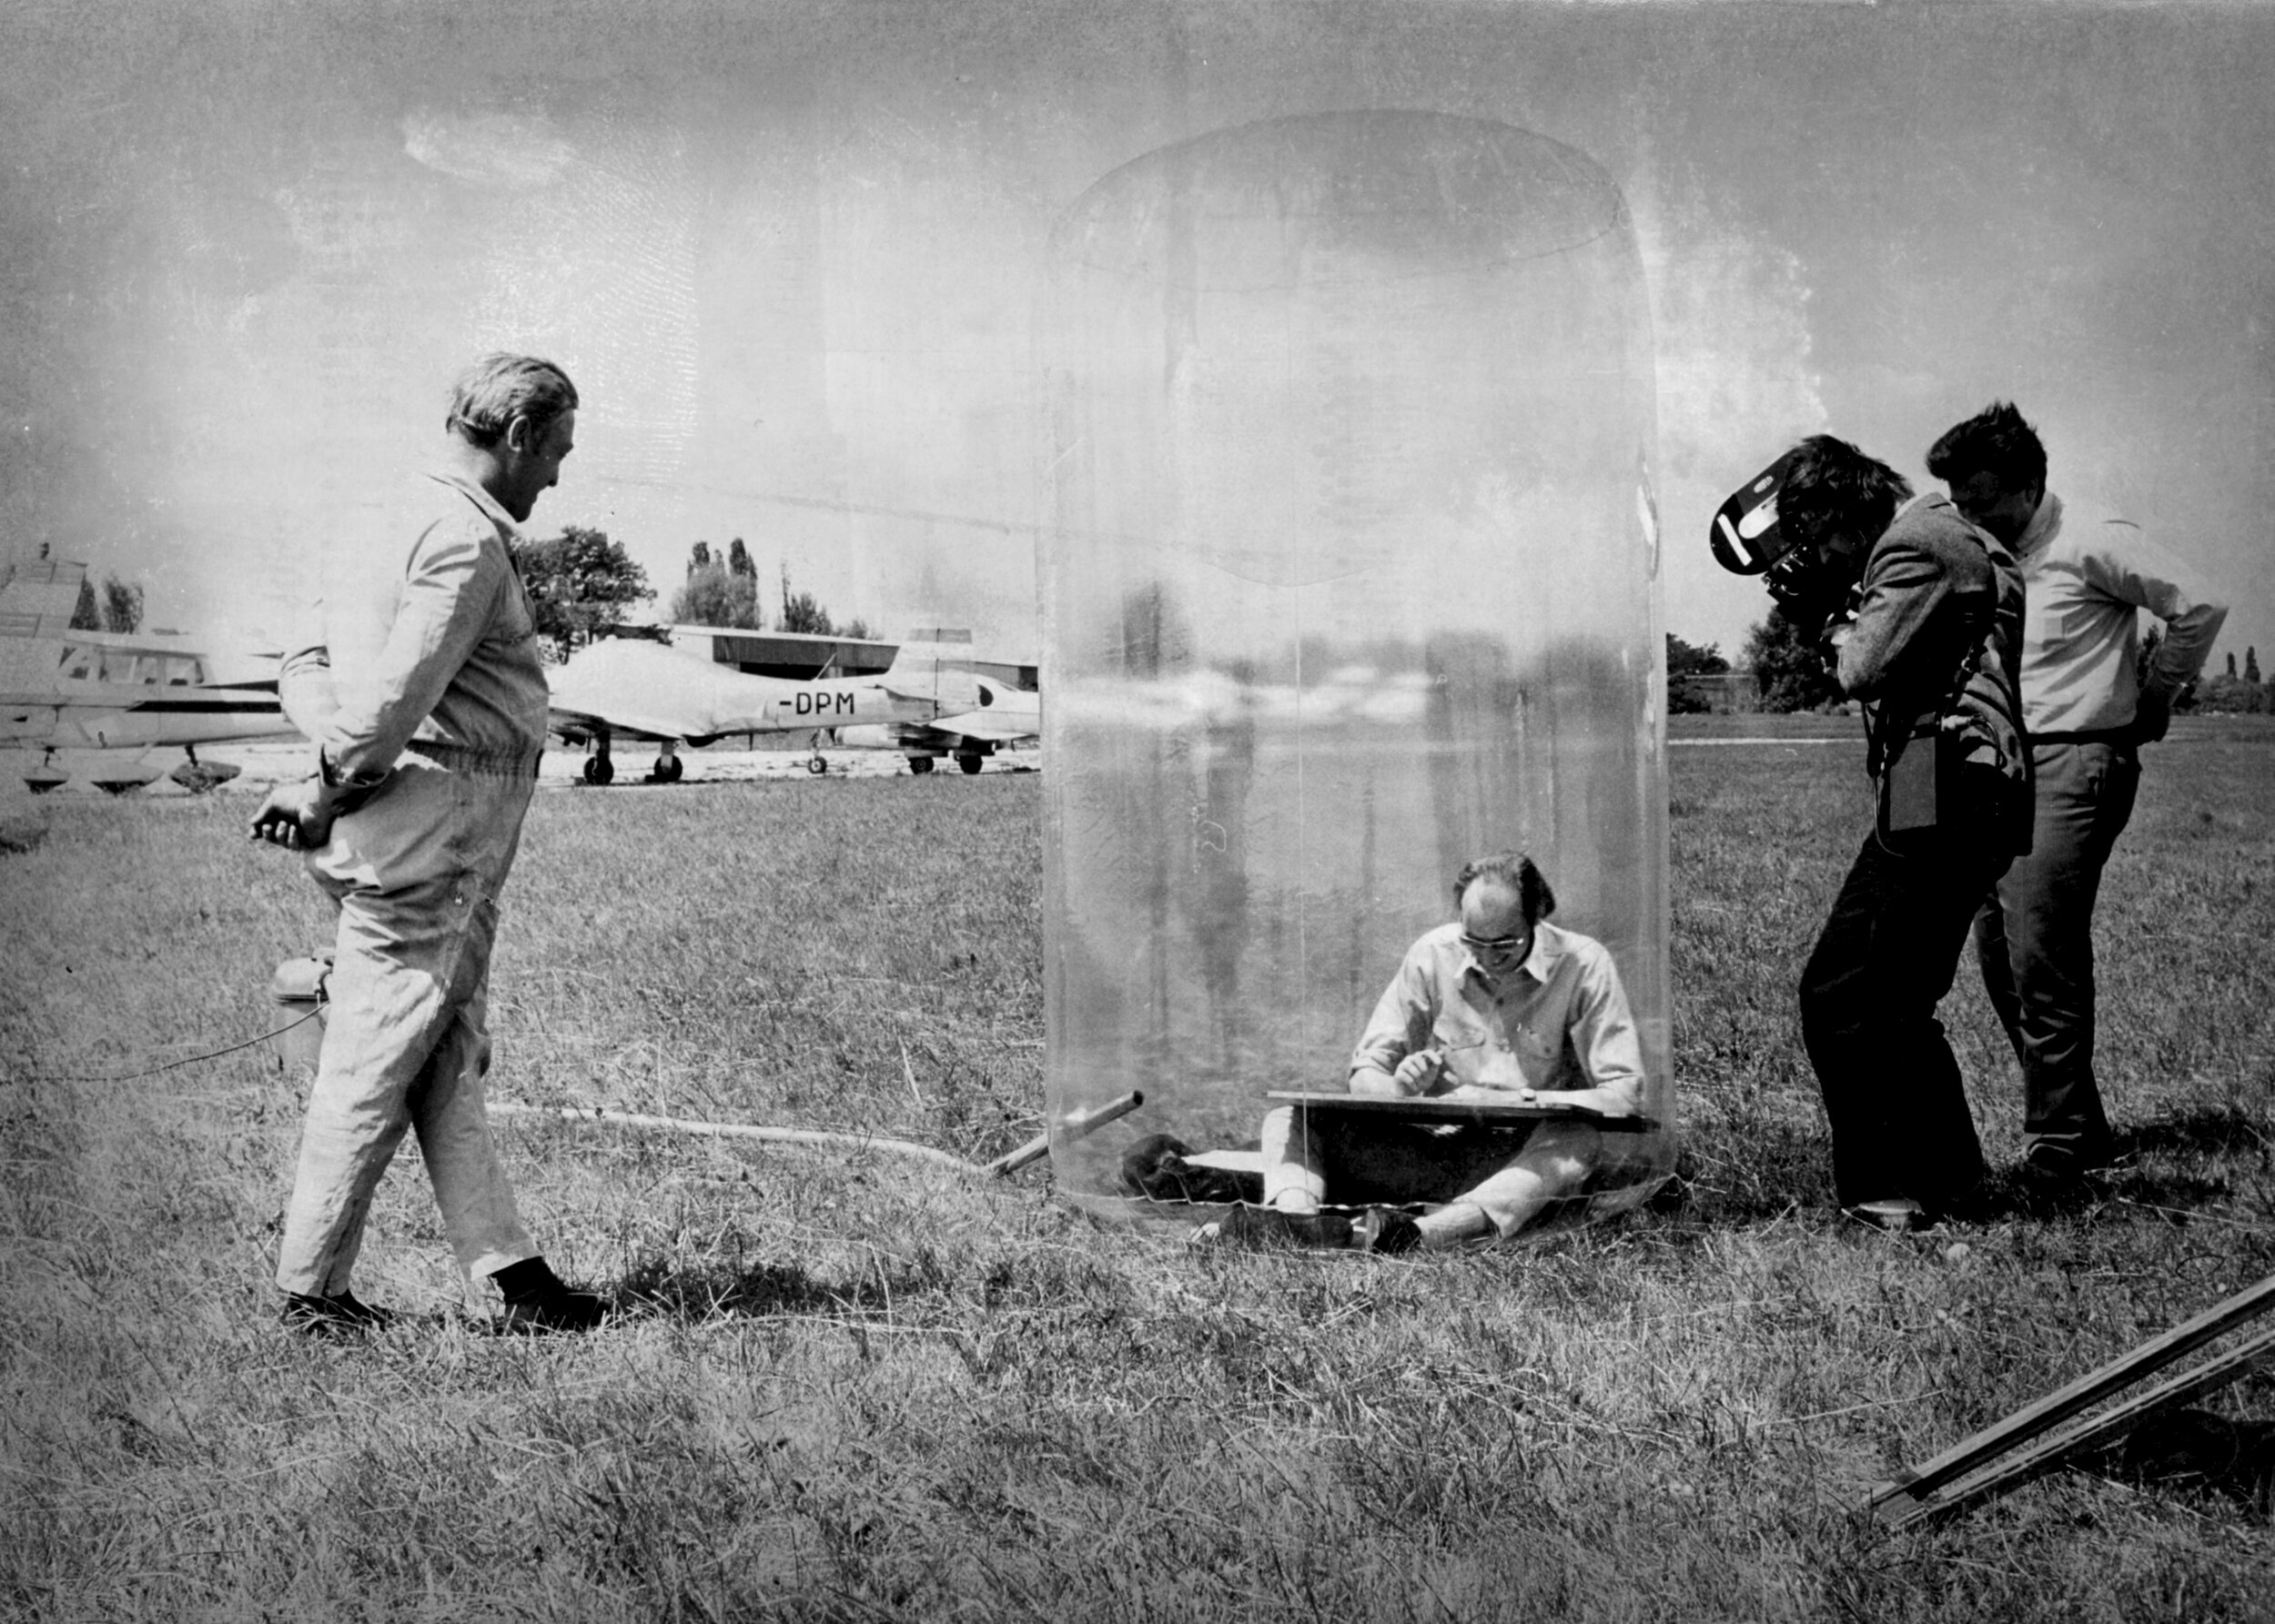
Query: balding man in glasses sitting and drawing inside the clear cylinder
(1496, 1009)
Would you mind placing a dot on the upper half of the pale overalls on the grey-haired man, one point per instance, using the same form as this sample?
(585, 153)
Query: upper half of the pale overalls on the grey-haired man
(420, 631)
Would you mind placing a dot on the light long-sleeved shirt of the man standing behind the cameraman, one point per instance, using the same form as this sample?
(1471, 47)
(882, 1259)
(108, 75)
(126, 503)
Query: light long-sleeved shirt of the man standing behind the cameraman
(2085, 577)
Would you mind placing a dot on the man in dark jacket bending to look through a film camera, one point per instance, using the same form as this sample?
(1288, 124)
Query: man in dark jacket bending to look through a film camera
(1928, 631)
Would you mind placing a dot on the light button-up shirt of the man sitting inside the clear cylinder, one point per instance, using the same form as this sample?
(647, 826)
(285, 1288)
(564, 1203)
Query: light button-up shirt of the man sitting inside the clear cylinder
(1555, 1022)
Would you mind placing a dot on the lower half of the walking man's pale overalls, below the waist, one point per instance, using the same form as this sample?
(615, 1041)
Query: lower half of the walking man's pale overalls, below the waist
(415, 877)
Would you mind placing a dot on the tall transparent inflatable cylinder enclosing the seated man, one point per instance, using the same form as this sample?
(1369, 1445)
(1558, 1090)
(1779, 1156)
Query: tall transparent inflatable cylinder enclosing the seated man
(1350, 579)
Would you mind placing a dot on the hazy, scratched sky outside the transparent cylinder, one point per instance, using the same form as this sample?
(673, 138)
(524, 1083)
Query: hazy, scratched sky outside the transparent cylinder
(793, 258)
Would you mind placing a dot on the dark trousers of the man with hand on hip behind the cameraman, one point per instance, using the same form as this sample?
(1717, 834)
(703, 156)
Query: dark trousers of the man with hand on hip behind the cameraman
(2035, 941)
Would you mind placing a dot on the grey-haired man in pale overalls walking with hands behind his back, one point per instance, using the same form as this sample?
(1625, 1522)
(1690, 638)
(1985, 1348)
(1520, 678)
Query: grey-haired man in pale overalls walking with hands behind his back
(422, 688)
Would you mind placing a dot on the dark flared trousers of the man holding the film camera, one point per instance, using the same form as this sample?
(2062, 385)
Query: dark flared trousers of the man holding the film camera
(1869, 1018)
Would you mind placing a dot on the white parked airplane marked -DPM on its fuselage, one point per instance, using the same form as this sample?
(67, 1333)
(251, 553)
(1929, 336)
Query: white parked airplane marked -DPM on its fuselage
(927, 704)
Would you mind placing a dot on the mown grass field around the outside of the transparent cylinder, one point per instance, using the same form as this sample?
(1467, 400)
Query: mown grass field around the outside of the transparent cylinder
(852, 1386)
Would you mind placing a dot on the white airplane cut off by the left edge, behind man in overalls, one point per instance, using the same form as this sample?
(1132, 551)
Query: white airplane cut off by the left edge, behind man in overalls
(106, 699)
